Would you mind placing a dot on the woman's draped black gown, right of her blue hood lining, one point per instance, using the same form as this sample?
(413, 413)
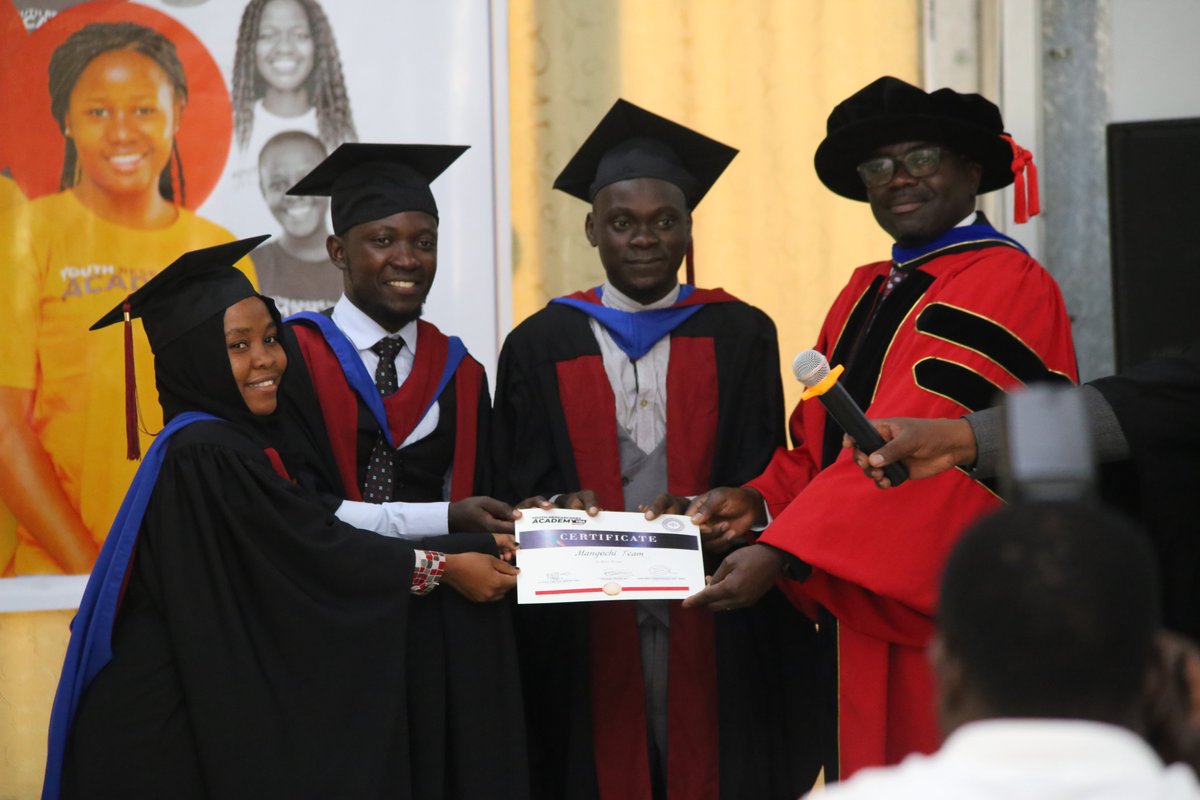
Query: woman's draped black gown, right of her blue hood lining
(284, 634)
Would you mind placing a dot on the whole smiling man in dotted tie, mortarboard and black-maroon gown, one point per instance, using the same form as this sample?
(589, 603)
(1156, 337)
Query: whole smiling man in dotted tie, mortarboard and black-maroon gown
(406, 411)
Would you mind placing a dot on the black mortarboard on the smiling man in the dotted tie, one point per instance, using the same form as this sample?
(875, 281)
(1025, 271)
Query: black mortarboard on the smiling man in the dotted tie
(373, 182)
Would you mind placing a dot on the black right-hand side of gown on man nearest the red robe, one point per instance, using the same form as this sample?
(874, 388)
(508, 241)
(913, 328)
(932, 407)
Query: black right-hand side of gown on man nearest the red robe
(766, 655)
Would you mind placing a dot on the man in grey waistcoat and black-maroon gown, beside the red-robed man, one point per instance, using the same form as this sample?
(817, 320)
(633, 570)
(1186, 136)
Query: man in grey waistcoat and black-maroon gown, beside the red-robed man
(634, 394)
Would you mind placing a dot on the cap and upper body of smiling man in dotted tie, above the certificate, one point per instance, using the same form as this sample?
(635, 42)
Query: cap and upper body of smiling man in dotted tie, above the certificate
(425, 430)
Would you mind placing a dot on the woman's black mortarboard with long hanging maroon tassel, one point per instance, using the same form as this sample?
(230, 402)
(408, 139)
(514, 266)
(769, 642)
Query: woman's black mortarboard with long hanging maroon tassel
(193, 288)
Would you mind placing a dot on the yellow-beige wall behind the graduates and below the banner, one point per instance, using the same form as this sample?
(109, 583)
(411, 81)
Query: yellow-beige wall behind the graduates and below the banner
(759, 75)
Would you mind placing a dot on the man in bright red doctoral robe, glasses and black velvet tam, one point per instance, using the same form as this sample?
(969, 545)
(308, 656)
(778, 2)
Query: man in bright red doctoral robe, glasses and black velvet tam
(958, 314)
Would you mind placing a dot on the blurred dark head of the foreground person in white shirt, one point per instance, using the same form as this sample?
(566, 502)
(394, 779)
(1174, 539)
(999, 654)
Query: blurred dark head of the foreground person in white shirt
(1047, 611)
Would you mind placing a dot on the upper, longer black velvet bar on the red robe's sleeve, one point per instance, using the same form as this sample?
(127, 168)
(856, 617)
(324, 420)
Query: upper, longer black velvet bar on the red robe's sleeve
(988, 339)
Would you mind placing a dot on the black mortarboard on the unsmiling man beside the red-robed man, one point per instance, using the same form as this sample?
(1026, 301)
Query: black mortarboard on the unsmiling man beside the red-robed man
(631, 142)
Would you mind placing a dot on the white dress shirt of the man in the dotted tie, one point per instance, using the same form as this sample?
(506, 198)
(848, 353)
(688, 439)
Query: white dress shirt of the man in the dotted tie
(399, 520)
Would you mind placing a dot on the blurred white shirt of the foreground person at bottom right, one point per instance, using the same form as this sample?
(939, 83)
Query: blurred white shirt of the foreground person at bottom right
(1027, 760)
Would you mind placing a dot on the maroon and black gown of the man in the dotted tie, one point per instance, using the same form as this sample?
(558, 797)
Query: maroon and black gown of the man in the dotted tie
(463, 682)
